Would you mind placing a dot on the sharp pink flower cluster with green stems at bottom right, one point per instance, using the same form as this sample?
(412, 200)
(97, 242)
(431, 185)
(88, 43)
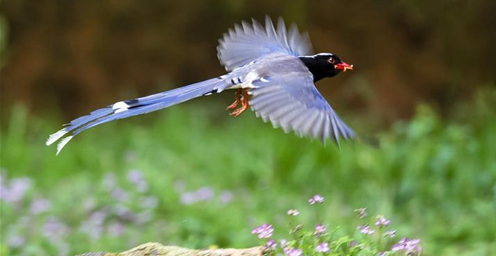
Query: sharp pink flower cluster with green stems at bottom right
(321, 242)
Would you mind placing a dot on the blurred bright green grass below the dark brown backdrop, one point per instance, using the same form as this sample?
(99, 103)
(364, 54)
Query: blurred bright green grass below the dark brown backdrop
(435, 180)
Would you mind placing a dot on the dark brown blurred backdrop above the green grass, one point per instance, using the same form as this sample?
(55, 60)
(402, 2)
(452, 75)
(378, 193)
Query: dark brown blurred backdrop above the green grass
(80, 55)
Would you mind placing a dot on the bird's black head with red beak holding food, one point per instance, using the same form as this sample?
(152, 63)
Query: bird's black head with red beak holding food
(324, 65)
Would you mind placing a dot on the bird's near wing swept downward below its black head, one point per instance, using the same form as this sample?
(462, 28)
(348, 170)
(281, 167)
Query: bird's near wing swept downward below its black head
(290, 100)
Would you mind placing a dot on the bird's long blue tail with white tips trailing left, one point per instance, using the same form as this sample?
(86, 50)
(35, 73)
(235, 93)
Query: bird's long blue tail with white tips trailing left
(127, 108)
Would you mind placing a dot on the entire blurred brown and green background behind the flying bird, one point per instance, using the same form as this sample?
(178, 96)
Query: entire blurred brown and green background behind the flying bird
(422, 97)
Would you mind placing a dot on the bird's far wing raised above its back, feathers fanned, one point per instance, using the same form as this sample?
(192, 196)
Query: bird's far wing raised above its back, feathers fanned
(248, 42)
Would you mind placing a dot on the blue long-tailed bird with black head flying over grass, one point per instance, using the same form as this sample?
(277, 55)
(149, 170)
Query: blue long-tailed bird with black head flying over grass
(271, 71)
